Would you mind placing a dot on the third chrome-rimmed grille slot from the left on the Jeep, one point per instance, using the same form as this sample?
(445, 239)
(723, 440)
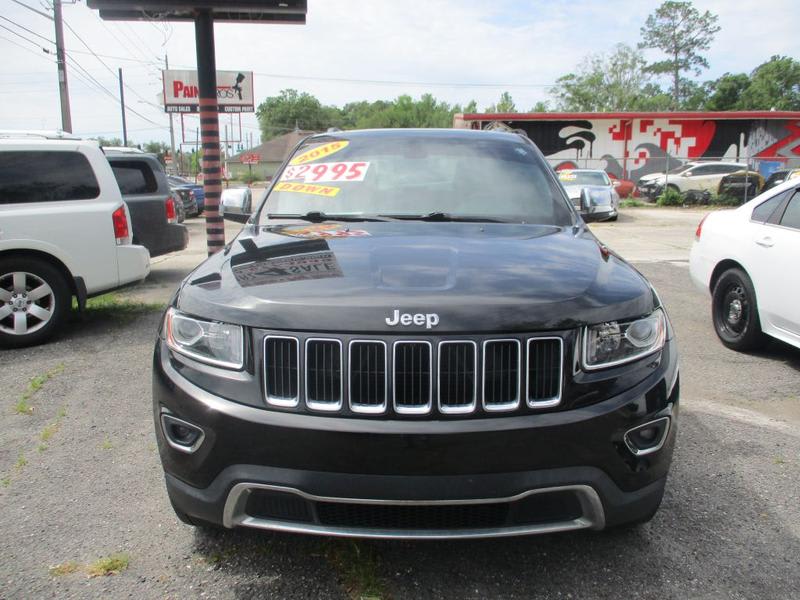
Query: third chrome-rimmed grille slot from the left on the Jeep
(368, 377)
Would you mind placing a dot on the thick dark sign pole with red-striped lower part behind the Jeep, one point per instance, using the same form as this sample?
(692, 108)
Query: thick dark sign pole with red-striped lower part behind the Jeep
(209, 128)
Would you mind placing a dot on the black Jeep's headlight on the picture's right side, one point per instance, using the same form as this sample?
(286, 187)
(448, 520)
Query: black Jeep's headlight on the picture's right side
(614, 343)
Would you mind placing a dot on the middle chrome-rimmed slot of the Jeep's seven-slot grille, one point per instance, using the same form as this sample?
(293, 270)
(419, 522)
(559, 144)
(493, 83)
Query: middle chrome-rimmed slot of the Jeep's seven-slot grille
(412, 377)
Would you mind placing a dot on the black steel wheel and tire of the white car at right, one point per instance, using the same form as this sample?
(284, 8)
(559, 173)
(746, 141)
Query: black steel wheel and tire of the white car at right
(734, 311)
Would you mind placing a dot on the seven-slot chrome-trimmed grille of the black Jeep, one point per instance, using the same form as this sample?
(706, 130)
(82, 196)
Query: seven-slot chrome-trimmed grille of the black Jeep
(412, 376)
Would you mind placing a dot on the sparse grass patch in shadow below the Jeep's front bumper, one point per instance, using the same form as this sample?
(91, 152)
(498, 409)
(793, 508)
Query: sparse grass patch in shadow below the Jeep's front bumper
(358, 567)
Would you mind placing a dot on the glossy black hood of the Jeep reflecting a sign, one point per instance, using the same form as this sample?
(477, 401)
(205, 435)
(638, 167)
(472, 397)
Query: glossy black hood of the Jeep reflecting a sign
(474, 276)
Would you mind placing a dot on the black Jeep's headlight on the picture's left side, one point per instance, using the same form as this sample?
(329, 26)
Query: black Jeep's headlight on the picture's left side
(210, 342)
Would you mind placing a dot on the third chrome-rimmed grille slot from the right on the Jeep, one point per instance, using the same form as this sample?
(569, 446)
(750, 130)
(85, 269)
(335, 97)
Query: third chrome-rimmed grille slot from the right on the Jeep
(457, 376)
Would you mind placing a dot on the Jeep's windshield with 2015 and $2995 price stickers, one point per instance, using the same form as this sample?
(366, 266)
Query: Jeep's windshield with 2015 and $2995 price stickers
(407, 175)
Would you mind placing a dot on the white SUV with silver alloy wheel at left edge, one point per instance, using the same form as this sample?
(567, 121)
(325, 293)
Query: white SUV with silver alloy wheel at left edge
(64, 232)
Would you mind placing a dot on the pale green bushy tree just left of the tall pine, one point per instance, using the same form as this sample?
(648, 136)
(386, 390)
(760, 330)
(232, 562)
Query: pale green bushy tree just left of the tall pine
(608, 82)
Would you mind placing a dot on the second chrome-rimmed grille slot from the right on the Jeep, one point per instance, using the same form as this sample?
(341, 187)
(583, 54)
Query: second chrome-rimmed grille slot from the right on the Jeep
(501, 374)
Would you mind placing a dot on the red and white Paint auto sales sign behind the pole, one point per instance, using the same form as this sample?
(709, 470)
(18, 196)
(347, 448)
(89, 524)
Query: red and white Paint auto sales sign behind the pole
(182, 95)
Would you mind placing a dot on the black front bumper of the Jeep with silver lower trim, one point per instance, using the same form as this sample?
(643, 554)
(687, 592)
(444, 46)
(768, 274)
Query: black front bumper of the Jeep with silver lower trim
(489, 477)
